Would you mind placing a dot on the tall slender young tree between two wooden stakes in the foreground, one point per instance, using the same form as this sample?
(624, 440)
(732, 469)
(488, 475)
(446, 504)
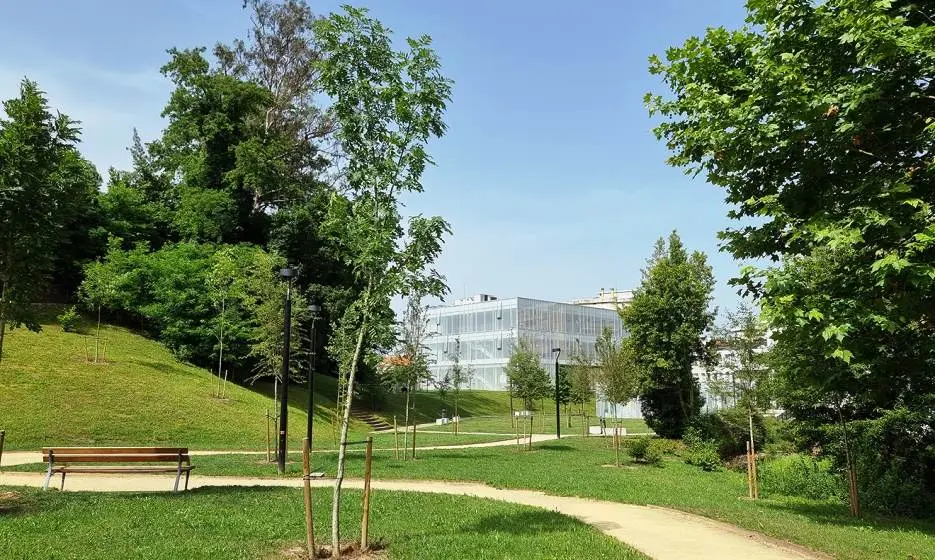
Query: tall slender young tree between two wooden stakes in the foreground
(387, 104)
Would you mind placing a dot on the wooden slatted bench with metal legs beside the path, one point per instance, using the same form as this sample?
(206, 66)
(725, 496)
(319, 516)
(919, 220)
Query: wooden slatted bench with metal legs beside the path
(63, 460)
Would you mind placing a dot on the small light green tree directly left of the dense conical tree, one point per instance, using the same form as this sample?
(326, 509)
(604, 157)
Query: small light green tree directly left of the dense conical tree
(616, 369)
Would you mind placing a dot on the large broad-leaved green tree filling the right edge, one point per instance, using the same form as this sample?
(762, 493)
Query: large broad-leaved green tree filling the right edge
(815, 120)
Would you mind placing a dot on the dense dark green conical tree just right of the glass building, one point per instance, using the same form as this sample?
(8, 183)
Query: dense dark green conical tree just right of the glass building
(667, 318)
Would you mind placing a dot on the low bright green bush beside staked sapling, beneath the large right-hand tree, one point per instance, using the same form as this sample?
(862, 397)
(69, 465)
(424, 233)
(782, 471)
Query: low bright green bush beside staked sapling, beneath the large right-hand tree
(801, 476)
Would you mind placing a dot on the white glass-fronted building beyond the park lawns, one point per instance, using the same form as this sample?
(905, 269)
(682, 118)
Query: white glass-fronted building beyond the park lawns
(482, 331)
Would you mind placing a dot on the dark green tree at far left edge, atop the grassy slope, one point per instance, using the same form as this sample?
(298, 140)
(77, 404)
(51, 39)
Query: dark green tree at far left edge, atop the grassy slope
(41, 178)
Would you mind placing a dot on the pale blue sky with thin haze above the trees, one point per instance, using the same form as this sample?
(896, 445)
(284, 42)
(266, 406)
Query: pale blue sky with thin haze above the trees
(550, 175)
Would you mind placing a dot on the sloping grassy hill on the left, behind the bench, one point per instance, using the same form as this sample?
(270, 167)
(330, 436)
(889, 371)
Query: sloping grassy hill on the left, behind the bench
(50, 395)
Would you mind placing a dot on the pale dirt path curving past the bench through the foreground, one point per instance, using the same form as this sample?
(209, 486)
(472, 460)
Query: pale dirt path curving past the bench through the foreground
(660, 533)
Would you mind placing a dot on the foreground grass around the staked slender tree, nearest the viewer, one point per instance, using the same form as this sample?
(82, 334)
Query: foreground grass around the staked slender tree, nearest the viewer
(228, 523)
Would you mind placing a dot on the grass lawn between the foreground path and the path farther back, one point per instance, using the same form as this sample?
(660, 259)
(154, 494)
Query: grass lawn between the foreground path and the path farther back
(575, 467)
